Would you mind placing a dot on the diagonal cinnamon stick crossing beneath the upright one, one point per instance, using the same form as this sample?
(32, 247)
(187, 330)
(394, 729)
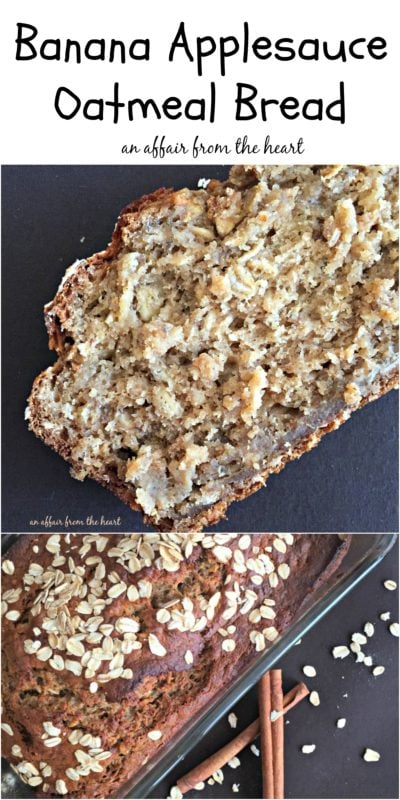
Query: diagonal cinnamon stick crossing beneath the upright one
(236, 745)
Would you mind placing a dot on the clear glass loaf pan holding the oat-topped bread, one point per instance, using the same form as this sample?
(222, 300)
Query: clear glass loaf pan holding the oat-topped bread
(365, 552)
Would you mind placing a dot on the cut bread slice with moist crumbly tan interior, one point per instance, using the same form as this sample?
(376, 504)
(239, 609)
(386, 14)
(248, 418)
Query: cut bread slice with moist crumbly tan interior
(221, 334)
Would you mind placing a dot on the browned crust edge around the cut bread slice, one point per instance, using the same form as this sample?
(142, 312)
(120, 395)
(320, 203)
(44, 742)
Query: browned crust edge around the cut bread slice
(244, 481)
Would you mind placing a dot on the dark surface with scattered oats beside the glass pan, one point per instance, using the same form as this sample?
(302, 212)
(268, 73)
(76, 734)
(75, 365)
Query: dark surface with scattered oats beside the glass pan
(336, 768)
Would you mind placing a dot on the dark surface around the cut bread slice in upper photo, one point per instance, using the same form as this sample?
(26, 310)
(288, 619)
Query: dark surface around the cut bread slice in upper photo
(348, 483)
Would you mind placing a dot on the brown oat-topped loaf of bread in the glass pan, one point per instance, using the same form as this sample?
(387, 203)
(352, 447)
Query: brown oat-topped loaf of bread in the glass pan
(111, 644)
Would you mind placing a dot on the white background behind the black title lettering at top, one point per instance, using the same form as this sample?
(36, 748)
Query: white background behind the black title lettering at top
(33, 133)
